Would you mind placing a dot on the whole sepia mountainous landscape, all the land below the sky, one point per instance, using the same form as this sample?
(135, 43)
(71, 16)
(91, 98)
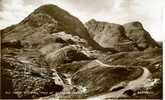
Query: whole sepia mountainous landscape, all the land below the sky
(51, 54)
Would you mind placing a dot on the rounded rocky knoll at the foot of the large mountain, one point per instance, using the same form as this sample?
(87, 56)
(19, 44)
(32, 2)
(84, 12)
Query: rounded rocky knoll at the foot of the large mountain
(64, 55)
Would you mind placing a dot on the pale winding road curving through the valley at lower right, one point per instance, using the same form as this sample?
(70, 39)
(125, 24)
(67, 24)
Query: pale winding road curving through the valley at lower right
(139, 82)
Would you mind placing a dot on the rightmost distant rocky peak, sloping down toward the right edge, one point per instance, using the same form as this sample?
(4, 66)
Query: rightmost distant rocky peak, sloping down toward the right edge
(136, 32)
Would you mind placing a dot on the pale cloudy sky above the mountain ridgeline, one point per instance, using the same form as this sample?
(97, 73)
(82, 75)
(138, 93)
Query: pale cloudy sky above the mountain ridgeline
(150, 13)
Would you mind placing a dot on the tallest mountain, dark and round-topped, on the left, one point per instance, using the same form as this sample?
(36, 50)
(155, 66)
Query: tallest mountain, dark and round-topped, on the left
(46, 20)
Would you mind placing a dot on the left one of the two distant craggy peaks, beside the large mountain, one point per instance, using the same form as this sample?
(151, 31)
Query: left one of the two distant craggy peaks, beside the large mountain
(110, 35)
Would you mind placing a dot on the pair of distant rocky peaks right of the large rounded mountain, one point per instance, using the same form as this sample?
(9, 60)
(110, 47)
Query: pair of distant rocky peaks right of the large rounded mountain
(129, 37)
